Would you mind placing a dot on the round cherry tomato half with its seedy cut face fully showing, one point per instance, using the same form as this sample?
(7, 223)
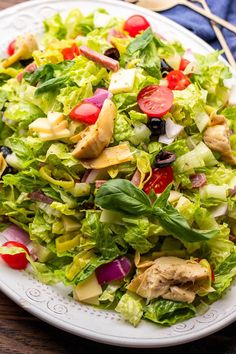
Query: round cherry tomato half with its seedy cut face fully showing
(155, 100)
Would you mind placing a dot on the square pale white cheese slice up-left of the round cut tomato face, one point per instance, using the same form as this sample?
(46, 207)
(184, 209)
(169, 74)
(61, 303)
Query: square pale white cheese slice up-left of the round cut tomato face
(122, 81)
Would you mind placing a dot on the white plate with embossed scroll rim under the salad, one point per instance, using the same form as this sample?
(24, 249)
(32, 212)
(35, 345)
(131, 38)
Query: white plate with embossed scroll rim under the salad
(52, 304)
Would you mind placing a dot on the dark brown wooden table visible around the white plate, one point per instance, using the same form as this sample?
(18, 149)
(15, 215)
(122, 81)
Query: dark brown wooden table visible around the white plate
(22, 333)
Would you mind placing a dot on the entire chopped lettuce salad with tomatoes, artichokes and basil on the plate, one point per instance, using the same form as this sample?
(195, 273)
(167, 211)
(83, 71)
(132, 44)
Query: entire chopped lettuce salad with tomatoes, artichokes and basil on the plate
(117, 166)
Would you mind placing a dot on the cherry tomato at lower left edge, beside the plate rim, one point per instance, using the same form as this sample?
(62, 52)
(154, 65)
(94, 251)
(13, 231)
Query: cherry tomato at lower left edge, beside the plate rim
(15, 261)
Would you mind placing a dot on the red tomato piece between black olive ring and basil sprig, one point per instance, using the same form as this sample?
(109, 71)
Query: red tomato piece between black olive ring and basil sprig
(161, 178)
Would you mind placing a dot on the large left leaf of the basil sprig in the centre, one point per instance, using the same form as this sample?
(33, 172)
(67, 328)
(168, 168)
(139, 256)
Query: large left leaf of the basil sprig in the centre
(122, 196)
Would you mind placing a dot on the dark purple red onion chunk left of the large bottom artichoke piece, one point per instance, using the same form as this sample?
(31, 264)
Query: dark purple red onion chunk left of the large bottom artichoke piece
(114, 270)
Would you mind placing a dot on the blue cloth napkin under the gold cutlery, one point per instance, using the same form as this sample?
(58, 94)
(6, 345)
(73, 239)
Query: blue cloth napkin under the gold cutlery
(201, 26)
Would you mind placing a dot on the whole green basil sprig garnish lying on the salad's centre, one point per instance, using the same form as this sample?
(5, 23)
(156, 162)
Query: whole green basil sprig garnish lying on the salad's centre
(122, 196)
